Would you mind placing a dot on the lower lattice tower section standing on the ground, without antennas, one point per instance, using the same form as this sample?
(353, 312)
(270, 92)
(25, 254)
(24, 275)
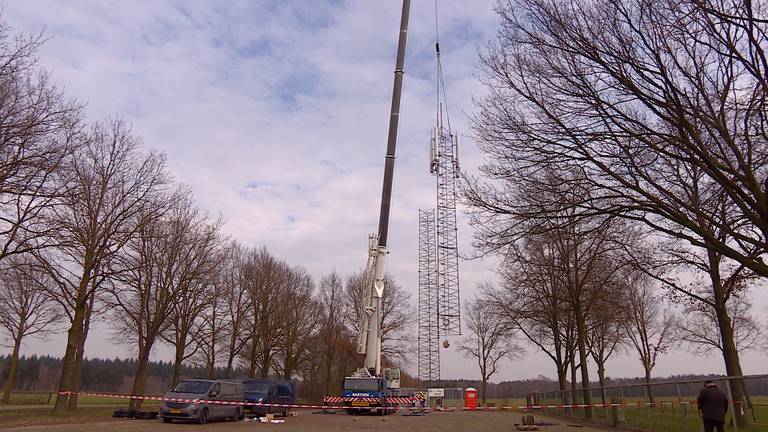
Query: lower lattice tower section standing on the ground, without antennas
(429, 351)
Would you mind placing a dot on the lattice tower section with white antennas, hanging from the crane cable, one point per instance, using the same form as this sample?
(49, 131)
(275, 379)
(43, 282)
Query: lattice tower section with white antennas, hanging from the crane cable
(445, 166)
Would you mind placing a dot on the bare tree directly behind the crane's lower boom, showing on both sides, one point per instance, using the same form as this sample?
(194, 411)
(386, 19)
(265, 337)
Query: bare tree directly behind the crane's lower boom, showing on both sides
(397, 317)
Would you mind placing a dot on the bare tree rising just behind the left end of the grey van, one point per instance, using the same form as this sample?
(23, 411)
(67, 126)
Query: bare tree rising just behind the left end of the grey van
(169, 251)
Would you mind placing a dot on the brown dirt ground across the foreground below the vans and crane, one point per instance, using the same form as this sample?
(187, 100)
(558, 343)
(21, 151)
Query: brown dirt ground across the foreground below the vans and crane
(306, 421)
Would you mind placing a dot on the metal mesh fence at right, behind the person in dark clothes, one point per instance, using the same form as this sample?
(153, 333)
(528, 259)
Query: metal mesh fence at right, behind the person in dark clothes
(660, 407)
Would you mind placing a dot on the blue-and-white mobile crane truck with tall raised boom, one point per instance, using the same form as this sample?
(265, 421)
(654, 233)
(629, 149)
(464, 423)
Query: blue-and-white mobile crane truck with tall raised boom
(370, 388)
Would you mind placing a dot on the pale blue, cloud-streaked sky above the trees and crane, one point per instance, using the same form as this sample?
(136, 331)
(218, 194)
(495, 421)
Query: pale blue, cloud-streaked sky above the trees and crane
(276, 112)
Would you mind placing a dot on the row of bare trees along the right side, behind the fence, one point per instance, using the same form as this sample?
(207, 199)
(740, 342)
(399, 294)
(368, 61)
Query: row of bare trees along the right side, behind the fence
(626, 177)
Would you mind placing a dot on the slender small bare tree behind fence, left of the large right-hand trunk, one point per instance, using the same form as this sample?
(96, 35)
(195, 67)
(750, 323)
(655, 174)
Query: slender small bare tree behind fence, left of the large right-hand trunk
(649, 326)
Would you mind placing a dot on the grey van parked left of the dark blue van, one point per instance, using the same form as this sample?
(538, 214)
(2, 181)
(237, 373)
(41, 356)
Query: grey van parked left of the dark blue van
(192, 390)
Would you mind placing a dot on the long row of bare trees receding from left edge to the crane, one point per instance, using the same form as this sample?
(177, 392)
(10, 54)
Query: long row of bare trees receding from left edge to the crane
(93, 227)
